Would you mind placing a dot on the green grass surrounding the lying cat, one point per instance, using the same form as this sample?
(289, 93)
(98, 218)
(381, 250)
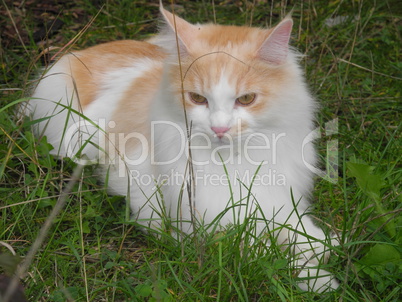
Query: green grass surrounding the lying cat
(92, 253)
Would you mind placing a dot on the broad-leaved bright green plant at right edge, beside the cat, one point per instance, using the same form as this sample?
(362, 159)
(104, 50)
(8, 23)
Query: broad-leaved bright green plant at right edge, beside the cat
(381, 260)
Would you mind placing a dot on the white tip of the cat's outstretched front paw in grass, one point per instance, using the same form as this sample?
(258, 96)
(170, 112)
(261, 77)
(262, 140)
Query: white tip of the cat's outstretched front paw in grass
(316, 280)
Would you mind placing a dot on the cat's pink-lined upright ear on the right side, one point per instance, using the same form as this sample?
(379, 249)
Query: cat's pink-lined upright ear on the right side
(275, 48)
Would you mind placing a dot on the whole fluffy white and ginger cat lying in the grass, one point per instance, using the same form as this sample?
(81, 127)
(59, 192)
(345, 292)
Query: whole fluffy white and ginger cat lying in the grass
(232, 101)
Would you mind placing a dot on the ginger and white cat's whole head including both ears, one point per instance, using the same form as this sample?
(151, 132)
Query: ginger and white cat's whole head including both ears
(232, 80)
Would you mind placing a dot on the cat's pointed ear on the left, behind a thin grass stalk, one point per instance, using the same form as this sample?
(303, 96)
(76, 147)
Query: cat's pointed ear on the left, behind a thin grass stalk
(185, 31)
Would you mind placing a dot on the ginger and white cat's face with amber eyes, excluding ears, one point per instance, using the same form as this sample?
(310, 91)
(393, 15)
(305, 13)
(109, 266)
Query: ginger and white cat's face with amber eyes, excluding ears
(225, 98)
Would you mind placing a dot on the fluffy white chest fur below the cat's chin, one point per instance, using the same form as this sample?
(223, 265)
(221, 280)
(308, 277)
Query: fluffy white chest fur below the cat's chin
(228, 171)
